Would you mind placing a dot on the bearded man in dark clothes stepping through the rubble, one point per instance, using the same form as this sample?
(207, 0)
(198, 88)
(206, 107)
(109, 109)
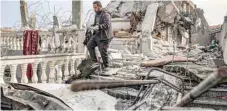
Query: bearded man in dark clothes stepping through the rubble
(102, 34)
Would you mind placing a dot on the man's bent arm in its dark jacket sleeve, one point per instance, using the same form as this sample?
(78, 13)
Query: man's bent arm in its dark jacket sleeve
(106, 18)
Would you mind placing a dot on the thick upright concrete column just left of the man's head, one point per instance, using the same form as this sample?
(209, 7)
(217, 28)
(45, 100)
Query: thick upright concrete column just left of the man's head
(77, 13)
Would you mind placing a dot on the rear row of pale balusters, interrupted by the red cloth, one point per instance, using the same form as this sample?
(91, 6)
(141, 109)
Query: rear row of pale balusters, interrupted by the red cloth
(70, 42)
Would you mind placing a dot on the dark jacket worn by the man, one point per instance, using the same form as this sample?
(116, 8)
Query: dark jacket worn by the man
(105, 26)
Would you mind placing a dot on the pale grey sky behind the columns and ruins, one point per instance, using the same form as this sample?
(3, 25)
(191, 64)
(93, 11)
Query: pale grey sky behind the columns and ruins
(10, 10)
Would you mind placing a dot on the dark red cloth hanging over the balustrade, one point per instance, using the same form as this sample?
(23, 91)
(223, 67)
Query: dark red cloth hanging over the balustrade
(30, 47)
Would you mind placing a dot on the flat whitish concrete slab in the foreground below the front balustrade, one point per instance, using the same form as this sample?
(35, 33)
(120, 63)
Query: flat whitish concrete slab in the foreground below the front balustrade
(85, 100)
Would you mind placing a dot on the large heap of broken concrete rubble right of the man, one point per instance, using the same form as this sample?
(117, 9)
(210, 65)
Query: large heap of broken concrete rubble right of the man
(177, 58)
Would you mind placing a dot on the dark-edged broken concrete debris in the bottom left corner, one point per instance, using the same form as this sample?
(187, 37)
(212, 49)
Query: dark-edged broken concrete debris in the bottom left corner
(33, 100)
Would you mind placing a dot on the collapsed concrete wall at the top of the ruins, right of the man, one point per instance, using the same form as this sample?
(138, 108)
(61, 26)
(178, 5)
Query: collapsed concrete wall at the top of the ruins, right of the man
(173, 20)
